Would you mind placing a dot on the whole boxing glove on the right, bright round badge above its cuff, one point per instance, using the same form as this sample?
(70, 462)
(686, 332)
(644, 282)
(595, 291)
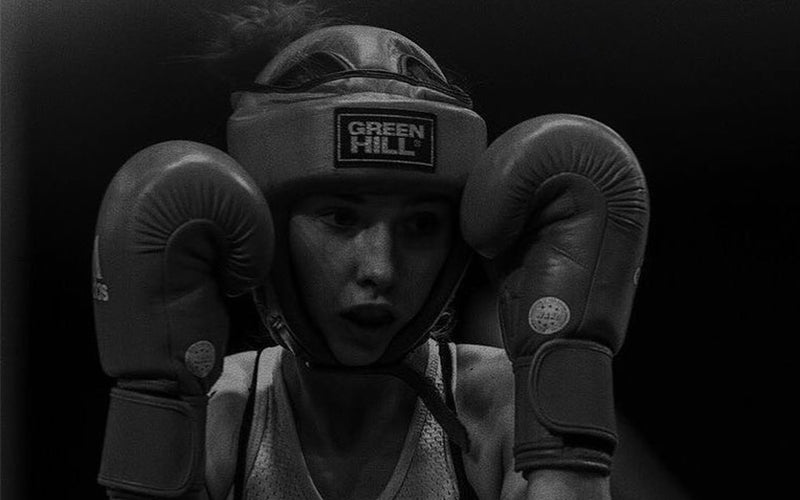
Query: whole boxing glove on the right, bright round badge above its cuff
(559, 207)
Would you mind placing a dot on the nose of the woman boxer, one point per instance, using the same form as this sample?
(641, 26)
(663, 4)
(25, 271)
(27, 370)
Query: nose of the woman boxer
(375, 257)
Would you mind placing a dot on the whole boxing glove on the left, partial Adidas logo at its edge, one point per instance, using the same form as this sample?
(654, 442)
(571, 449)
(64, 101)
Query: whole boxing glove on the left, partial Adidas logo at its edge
(181, 227)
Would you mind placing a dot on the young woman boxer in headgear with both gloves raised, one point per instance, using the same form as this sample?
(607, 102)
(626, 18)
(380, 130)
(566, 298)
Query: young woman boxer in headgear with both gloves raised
(378, 190)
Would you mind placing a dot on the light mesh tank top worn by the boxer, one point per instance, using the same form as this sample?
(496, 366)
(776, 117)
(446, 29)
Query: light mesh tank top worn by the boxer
(276, 468)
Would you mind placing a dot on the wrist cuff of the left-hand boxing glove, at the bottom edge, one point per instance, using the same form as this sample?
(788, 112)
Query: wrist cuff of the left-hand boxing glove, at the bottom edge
(154, 445)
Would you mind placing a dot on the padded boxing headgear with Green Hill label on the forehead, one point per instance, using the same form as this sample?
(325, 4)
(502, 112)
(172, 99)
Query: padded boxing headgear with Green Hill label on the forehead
(353, 107)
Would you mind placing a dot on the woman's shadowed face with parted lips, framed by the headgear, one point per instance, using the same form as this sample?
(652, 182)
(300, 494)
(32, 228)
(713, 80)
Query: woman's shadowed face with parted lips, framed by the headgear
(365, 264)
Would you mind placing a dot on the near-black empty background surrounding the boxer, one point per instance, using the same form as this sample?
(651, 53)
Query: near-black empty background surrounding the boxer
(705, 91)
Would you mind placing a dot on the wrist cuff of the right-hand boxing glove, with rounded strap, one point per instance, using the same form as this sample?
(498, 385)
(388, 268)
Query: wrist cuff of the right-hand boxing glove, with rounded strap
(565, 407)
